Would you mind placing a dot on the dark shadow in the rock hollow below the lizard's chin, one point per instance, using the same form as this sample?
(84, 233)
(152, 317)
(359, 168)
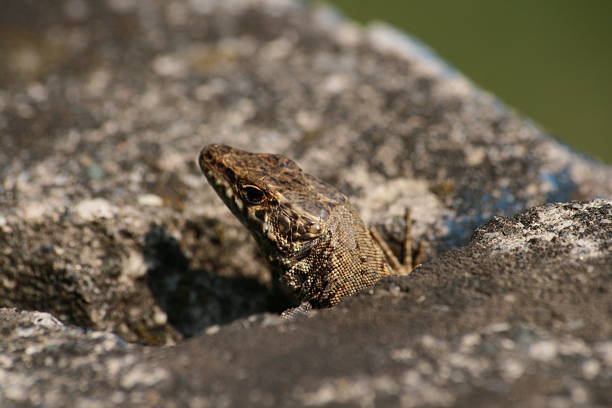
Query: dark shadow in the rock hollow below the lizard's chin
(194, 299)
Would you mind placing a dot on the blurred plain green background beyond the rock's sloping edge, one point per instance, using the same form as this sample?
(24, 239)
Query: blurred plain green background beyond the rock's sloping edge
(549, 59)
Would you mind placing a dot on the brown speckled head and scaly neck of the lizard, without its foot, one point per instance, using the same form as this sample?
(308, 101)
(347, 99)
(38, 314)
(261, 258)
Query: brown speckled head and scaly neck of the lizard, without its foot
(308, 231)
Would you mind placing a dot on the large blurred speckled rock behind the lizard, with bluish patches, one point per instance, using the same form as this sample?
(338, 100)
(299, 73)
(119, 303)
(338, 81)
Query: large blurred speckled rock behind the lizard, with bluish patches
(104, 106)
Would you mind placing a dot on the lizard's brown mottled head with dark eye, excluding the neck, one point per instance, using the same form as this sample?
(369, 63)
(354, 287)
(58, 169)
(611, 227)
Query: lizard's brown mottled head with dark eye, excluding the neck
(284, 208)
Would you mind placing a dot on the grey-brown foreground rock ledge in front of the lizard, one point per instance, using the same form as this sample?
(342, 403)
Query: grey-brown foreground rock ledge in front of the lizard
(501, 322)
